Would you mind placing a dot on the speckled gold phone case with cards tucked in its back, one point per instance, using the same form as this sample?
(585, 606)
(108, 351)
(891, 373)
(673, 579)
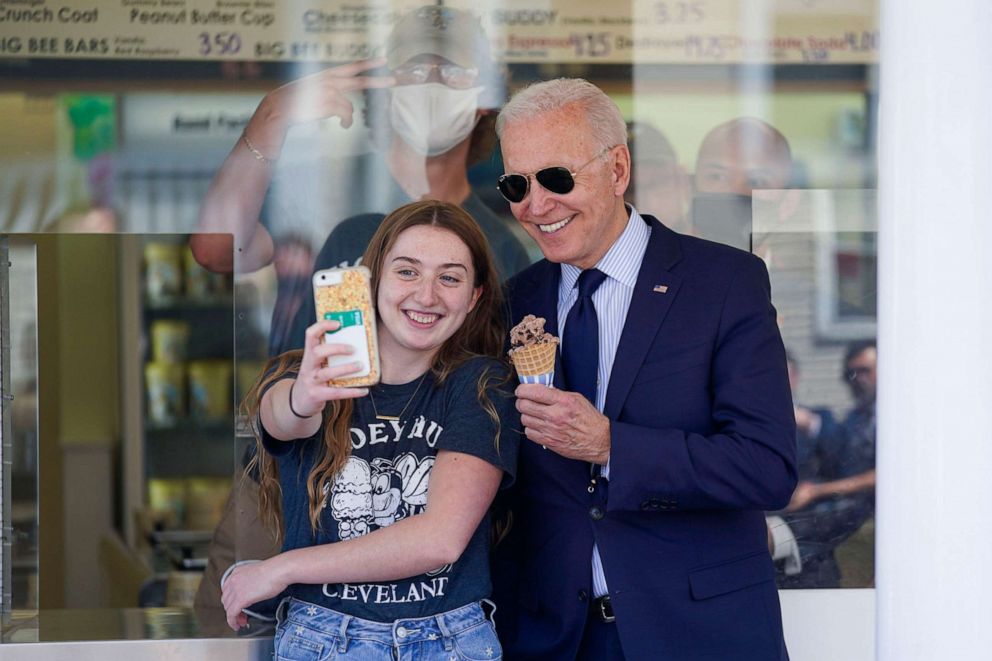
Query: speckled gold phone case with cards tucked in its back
(345, 295)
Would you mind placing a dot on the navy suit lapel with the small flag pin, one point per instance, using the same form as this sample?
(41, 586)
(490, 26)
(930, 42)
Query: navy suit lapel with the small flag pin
(654, 293)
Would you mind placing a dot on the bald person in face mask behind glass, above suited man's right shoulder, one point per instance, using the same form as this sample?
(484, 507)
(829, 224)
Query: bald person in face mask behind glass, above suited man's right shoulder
(734, 159)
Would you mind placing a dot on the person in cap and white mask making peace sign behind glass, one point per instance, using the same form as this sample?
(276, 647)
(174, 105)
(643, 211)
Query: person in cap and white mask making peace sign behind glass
(429, 116)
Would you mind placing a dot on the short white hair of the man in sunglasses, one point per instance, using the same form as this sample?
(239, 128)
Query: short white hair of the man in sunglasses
(605, 121)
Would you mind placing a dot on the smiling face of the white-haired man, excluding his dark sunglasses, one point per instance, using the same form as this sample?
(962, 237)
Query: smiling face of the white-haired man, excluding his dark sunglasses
(577, 227)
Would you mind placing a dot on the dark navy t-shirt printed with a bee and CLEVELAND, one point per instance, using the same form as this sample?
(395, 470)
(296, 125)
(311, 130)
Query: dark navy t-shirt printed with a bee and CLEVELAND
(386, 478)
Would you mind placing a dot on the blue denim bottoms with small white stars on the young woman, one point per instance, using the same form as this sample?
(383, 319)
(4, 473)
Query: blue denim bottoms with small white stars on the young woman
(307, 632)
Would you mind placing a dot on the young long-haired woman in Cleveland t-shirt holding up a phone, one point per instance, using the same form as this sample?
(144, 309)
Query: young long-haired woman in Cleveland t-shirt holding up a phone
(382, 493)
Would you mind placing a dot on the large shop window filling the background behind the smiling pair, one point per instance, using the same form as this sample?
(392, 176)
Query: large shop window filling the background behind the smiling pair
(168, 185)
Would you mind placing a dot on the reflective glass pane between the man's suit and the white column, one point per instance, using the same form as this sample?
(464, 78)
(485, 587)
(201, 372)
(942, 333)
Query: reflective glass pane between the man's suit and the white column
(819, 249)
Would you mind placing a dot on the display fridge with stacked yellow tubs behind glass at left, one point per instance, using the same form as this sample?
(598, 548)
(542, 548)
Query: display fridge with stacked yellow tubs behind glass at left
(177, 324)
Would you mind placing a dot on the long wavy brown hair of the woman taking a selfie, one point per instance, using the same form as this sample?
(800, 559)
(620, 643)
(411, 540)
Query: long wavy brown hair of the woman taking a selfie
(481, 334)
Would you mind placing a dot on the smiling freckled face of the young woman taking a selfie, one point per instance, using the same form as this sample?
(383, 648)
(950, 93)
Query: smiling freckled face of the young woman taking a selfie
(425, 293)
